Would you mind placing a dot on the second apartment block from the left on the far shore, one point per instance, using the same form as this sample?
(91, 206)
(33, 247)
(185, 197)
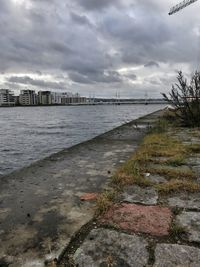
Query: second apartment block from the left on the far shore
(28, 98)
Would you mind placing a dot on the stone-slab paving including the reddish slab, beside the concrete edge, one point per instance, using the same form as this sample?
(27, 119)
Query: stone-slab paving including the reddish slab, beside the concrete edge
(145, 228)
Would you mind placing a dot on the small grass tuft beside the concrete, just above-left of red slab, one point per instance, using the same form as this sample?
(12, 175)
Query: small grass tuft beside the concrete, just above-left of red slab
(104, 201)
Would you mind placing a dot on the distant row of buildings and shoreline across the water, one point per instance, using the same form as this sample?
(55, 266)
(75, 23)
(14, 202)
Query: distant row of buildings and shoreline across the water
(28, 97)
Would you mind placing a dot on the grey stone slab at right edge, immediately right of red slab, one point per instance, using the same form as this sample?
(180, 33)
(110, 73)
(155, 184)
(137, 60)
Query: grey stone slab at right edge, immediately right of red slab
(191, 221)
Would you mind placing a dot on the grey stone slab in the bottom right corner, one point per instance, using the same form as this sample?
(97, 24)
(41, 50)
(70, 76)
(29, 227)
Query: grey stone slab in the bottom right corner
(168, 255)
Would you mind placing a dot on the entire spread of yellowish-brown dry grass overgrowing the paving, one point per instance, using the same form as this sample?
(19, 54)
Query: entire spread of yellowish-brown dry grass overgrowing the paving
(166, 153)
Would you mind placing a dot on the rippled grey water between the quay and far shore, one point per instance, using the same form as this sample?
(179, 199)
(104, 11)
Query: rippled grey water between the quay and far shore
(31, 133)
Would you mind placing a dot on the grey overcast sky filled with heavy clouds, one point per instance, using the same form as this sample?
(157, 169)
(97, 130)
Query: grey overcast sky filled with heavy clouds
(97, 47)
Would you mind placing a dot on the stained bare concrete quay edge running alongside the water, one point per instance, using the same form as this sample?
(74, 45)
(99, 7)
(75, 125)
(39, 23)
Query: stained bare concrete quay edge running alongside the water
(40, 206)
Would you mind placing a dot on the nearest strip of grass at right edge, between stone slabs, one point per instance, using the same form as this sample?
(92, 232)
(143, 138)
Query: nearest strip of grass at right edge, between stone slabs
(177, 186)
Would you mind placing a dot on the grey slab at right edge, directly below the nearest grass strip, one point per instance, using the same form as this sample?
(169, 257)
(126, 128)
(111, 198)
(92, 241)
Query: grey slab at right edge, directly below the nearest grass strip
(185, 200)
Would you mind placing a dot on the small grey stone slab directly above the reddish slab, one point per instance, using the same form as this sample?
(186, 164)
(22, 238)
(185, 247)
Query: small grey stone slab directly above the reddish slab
(137, 194)
